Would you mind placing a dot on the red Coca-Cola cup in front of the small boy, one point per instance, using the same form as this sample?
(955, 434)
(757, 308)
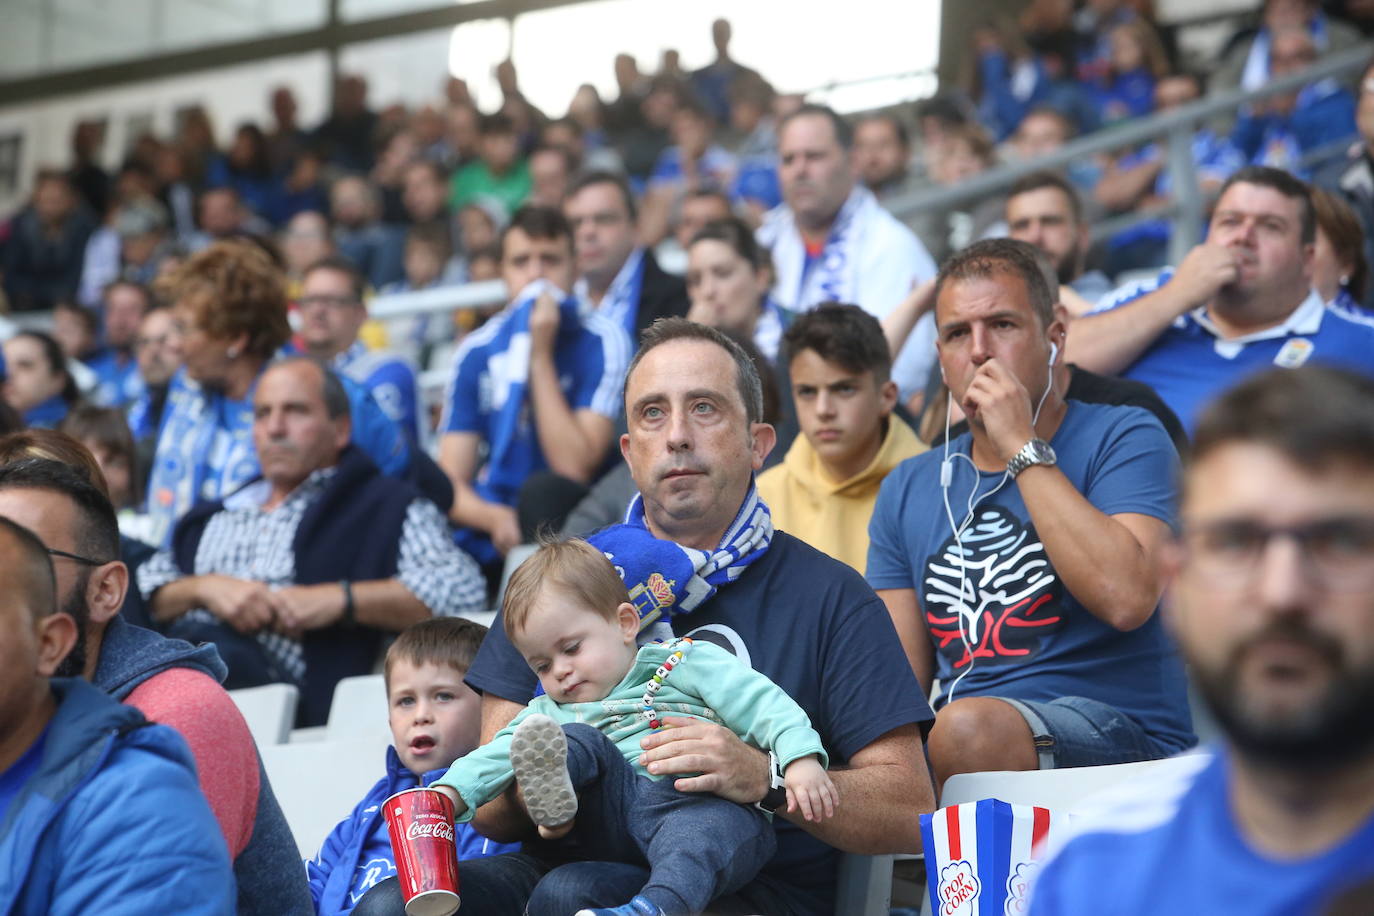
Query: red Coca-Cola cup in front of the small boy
(421, 823)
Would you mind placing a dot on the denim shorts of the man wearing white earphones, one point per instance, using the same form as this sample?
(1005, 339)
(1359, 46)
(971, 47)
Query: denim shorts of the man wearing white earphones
(1075, 731)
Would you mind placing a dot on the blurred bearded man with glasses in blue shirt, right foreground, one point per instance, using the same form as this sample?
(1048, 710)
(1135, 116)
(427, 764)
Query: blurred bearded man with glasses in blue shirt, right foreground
(1272, 599)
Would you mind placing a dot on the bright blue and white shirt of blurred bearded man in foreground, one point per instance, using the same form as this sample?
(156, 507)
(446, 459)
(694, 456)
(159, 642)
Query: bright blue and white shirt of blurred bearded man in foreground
(1170, 844)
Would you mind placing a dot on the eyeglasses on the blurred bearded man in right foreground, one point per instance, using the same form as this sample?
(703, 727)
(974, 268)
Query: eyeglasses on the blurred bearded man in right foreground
(1339, 551)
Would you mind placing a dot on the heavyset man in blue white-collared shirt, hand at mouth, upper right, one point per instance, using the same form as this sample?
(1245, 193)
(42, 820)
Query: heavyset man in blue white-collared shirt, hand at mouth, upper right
(1241, 301)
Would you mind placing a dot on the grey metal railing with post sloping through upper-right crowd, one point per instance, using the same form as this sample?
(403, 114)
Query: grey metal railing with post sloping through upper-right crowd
(1177, 128)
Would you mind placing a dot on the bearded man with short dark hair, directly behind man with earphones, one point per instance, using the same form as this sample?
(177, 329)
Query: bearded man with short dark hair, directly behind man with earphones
(1045, 211)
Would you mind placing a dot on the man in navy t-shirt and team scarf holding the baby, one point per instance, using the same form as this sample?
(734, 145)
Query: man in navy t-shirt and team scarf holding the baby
(804, 620)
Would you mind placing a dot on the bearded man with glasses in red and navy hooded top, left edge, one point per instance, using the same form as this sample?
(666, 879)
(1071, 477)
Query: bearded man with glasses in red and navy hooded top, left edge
(170, 682)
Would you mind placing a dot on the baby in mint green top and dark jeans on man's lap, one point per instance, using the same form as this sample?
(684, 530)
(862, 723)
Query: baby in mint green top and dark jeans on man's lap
(570, 616)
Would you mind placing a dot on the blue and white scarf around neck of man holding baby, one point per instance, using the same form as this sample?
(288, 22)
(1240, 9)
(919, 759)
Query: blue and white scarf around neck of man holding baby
(666, 579)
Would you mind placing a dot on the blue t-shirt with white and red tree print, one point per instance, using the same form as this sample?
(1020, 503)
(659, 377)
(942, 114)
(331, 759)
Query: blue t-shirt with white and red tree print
(1031, 638)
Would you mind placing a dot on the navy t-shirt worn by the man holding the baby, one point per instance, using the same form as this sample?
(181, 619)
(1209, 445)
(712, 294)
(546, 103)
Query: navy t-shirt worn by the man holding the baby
(813, 627)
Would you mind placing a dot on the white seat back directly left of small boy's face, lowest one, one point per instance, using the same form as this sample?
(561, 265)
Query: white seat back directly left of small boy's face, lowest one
(318, 783)
